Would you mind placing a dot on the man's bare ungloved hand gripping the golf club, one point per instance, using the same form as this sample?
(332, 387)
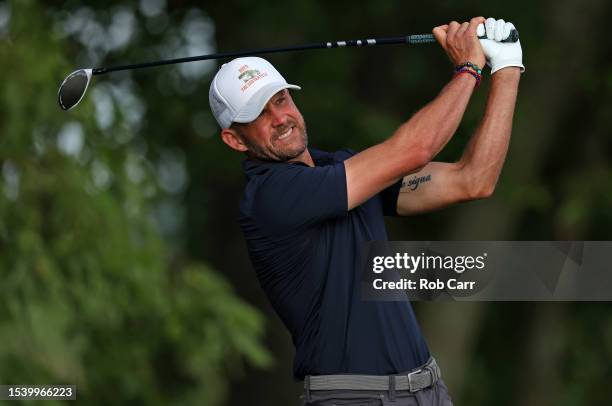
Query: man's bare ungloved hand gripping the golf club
(460, 42)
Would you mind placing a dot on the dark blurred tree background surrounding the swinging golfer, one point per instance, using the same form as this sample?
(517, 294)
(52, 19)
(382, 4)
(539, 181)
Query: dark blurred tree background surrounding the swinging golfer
(123, 269)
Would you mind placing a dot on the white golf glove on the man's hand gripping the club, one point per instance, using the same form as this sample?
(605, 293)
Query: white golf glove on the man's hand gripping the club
(500, 54)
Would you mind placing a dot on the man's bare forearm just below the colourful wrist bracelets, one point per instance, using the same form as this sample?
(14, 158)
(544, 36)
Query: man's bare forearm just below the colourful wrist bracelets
(433, 126)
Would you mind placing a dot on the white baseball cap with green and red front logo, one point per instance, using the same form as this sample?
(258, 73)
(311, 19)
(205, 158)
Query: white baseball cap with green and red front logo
(241, 89)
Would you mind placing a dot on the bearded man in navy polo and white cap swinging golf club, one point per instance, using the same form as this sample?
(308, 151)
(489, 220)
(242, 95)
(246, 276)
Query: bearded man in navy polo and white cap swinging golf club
(305, 213)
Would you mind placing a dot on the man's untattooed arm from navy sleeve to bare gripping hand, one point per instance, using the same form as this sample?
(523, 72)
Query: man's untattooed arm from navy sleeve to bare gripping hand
(416, 142)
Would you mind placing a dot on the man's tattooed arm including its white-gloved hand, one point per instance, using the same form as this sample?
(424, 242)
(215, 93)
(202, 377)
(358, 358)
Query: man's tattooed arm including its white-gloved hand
(475, 175)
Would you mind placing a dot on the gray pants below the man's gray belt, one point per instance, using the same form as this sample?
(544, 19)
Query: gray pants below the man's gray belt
(437, 395)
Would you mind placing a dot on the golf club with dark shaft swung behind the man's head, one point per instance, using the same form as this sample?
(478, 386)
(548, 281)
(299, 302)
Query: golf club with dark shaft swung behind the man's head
(75, 85)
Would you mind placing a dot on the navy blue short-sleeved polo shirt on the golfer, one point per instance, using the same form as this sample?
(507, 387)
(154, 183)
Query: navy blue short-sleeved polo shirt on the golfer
(304, 245)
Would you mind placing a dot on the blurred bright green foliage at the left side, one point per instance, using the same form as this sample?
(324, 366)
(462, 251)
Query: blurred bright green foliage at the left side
(90, 292)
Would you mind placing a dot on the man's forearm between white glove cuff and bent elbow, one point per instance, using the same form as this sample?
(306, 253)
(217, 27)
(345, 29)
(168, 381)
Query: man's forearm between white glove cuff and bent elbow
(484, 156)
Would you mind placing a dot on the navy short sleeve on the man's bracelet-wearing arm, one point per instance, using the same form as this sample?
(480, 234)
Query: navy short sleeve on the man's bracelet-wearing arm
(296, 197)
